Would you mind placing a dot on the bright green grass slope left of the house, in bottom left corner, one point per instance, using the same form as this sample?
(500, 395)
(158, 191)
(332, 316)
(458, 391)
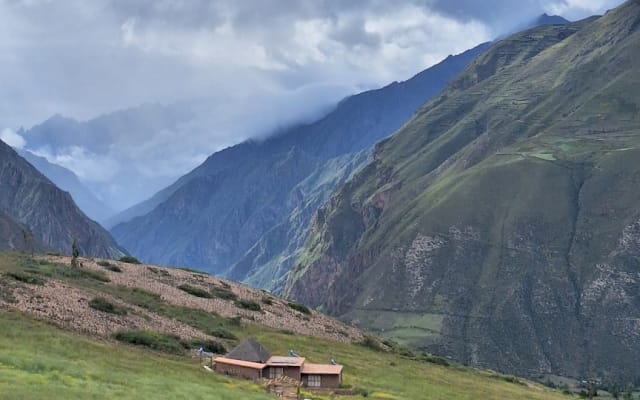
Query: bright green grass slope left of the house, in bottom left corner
(38, 361)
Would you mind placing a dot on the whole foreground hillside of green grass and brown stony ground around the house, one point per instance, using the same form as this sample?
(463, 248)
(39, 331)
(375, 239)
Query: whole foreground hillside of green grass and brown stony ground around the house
(76, 355)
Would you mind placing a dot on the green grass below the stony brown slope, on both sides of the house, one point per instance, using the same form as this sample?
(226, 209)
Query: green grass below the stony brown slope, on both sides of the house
(39, 361)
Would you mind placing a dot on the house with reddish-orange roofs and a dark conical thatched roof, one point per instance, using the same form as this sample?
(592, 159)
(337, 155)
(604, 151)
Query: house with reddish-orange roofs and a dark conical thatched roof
(250, 360)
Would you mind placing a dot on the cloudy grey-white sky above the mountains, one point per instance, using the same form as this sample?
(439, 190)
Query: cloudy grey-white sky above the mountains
(253, 65)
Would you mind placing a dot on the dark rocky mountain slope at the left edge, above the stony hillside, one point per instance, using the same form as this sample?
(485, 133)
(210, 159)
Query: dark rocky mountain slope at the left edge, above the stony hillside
(30, 200)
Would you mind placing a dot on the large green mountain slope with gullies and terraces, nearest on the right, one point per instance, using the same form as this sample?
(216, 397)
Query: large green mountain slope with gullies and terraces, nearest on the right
(501, 225)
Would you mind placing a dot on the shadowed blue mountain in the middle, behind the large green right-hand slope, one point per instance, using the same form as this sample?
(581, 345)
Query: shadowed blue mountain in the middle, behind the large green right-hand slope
(246, 209)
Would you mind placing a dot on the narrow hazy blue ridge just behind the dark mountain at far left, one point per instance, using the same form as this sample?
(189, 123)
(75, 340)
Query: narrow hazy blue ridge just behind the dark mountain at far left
(69, 182)
